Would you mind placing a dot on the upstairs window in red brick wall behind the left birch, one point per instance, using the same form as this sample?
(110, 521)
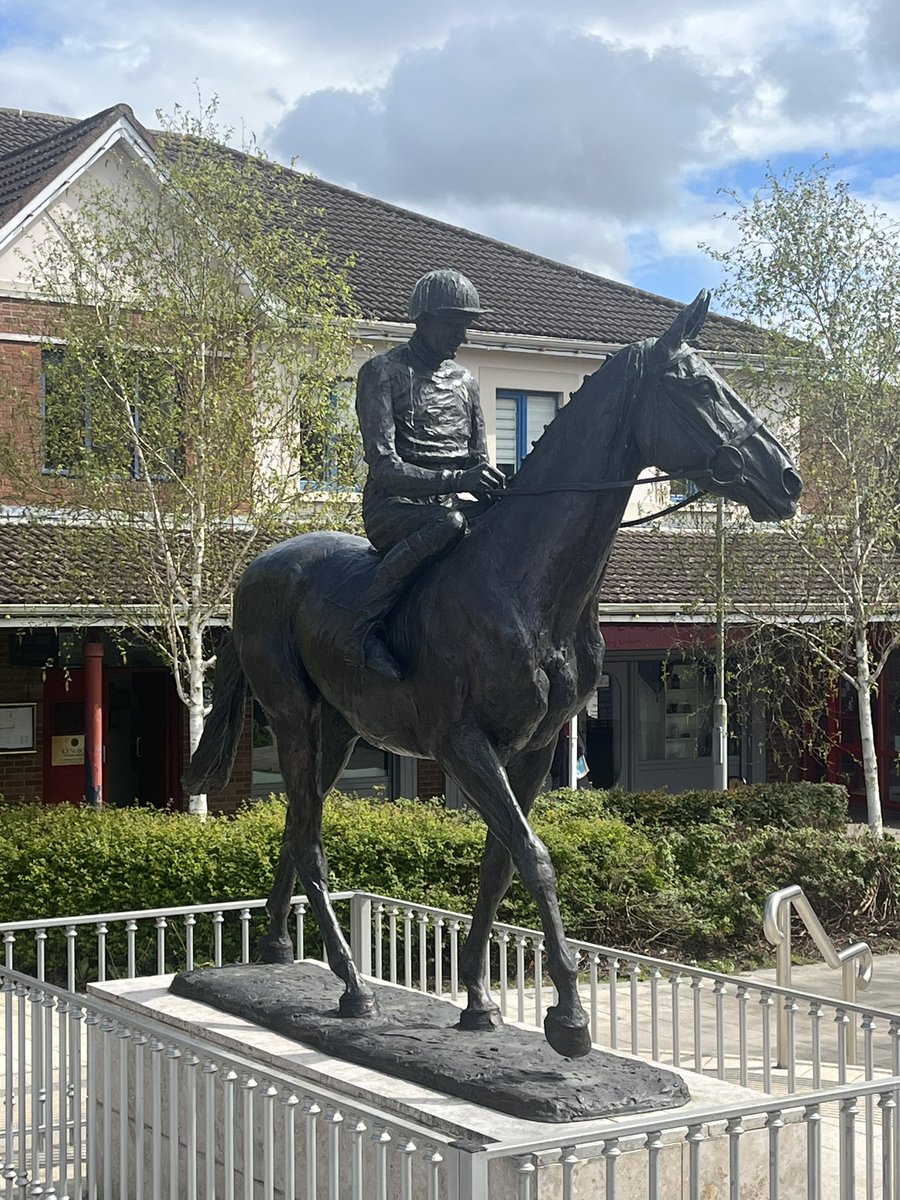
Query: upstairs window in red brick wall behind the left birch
(83, 419)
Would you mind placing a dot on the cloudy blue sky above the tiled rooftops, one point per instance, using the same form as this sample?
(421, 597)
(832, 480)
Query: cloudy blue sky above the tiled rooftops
(599, 133)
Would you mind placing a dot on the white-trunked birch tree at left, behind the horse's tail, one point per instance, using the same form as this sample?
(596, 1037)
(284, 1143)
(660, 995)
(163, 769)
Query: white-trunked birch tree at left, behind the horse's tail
(195, 398)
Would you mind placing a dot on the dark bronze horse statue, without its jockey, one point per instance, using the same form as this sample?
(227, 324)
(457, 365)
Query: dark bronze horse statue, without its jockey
(500, 643)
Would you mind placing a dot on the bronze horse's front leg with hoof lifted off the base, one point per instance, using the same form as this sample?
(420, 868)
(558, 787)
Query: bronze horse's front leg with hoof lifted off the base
(469, 758)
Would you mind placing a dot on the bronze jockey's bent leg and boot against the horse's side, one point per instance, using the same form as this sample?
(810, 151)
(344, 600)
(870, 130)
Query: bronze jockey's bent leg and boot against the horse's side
(367, 646)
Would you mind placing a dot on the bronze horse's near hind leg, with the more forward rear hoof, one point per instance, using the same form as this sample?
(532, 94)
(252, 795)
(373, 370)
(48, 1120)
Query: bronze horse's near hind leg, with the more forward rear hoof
(311, 760)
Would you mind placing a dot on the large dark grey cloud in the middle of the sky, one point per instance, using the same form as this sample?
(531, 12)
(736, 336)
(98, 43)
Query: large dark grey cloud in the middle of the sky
(512, 113)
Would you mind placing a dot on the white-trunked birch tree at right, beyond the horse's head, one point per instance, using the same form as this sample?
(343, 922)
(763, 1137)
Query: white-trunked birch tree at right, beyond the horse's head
(820, 273)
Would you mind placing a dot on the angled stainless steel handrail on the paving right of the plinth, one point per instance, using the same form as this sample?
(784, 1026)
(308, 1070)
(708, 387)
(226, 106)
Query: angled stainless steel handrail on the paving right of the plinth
(777, 927)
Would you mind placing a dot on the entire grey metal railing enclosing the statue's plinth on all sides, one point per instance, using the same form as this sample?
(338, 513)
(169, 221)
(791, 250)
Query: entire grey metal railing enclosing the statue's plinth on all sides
(202, 1121)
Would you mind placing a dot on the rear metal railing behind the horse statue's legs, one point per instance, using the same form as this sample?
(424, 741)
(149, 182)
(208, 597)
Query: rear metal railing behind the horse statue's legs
(683, 1016)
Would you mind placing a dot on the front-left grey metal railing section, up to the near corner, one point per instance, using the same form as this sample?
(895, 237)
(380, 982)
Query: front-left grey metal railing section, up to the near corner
(99, 1103)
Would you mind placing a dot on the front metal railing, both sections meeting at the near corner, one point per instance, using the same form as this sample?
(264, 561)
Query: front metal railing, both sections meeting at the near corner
(101, 1102)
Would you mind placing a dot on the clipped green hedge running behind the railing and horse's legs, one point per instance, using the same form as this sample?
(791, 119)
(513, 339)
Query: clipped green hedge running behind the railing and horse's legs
(679, 875)
